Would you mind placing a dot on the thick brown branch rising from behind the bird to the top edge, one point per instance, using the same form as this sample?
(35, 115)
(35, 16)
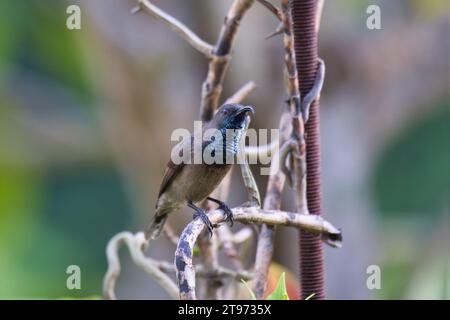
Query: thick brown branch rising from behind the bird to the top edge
(218, 65)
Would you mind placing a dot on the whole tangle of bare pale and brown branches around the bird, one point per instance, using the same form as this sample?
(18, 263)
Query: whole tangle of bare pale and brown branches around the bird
(269, 216)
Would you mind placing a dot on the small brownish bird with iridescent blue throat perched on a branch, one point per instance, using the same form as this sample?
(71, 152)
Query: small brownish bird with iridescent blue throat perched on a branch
(187, 183)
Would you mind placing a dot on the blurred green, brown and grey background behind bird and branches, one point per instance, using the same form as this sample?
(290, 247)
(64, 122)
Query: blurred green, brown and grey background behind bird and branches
(86, 117)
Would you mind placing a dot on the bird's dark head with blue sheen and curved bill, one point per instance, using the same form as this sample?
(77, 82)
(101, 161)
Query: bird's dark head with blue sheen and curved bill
(231, 116)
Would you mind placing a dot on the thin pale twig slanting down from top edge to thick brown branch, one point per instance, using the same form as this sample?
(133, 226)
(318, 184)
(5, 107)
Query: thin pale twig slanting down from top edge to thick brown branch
(183, 31)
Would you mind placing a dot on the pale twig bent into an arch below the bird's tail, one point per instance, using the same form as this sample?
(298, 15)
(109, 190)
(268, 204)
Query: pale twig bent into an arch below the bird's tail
(136, 244)
